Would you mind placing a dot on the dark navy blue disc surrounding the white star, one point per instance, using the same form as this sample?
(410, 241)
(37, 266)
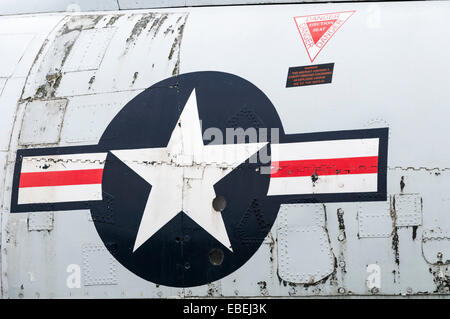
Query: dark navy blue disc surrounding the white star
(182, 253)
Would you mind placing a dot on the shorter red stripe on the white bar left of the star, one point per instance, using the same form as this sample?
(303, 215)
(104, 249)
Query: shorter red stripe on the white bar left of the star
(61, 178)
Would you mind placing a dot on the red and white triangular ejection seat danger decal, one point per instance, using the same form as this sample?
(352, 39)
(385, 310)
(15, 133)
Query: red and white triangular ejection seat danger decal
(317, 30)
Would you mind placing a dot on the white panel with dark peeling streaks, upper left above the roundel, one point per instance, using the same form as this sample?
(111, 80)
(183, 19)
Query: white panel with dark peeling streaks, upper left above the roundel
(110, 48)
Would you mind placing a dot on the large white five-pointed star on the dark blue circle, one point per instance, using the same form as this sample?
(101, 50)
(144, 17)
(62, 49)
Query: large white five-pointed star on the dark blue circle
(183, 175)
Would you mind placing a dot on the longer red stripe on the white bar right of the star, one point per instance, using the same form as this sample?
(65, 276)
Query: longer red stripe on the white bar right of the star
(331, 166)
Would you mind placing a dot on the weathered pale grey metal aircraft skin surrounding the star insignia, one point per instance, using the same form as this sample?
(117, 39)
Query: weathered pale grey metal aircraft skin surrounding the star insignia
(67, 75)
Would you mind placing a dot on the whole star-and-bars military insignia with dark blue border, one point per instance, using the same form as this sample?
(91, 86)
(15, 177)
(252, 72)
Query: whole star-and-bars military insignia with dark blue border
(187, 179)
